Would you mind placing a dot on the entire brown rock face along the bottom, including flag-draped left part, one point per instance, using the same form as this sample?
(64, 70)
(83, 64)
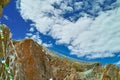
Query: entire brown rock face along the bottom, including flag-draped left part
(27, 60)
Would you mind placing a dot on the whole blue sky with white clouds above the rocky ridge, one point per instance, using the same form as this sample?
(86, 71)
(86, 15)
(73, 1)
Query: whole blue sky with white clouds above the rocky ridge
(86, 30)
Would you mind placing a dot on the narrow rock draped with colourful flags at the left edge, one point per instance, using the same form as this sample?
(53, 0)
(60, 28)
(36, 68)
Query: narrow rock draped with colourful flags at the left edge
(7, 54)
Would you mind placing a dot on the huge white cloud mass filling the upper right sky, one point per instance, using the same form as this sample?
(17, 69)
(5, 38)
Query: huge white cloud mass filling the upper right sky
(85, 37)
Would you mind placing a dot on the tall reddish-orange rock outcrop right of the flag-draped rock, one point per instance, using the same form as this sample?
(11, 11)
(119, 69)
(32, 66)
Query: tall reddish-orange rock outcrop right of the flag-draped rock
(34, 64)
